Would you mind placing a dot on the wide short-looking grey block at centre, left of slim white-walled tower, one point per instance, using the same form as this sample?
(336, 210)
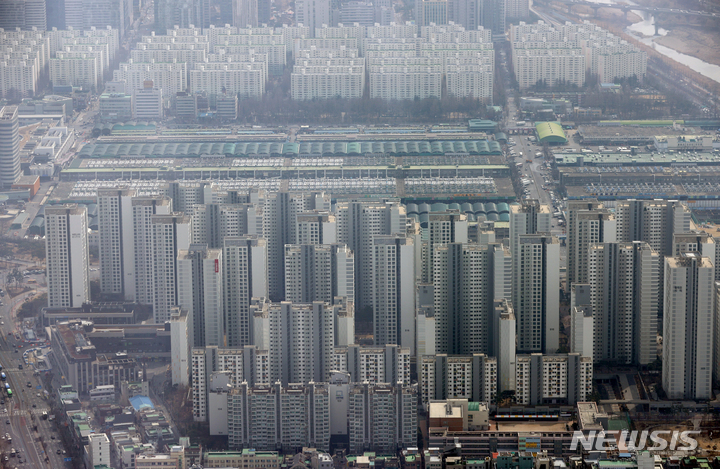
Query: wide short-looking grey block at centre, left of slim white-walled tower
(318, 272)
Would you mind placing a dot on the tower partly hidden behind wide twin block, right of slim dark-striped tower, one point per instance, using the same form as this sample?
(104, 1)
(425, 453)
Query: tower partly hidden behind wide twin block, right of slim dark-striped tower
(589, 226)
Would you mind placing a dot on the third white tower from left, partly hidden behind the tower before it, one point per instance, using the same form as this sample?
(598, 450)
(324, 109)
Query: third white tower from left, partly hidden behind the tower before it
(143, 209)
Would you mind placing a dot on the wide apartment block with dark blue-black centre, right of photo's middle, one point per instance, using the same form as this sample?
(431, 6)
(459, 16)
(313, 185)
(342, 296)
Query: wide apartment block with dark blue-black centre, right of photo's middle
(465, 280)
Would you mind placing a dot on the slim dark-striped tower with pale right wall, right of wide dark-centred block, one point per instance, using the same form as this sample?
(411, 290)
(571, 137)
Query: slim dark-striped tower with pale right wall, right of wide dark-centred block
(537, 271)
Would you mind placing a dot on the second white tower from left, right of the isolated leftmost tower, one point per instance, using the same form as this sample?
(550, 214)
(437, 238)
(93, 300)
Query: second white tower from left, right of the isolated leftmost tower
(116, 234)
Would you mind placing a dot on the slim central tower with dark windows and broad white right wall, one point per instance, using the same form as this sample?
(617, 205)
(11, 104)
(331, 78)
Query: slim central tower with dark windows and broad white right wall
(393, 287)
